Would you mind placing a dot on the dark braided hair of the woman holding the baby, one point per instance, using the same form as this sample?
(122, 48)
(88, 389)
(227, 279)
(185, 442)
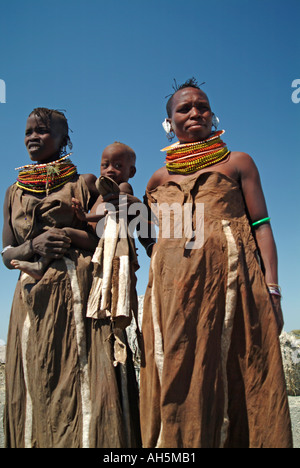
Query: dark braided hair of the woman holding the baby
(52, 117)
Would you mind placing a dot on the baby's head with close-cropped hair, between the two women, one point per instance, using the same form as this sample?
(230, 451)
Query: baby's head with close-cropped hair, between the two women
(118, 162)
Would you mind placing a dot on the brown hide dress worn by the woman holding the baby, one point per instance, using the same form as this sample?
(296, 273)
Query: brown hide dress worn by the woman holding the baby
(62, 389)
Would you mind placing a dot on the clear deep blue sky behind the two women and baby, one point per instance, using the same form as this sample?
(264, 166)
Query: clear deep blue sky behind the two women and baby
(110, 64)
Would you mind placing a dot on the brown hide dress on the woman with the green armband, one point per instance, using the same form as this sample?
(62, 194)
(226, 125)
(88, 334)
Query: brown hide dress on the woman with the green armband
(212, 373)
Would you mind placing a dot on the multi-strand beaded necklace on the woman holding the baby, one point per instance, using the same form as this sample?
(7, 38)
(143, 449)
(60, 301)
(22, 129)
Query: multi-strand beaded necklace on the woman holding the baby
(43, 178)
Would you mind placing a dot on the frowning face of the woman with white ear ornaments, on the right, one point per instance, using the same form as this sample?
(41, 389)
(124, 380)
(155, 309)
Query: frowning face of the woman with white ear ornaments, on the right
(191, 118)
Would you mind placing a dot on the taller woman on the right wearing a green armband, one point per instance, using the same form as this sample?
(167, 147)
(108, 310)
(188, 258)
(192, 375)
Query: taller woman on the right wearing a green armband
(212, 374)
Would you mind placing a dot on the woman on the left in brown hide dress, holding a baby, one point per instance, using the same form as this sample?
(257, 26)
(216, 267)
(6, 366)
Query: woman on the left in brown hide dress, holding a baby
(62, 388)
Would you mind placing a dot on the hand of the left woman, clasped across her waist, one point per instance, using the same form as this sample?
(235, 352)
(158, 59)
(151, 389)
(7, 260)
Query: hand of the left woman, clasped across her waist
(53, 243)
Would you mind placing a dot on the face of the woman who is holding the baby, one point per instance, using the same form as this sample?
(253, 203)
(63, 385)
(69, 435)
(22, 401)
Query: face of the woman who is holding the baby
(43, 143)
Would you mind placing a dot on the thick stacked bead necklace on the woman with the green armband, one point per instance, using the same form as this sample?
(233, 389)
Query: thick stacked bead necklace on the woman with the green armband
(191, 157)
